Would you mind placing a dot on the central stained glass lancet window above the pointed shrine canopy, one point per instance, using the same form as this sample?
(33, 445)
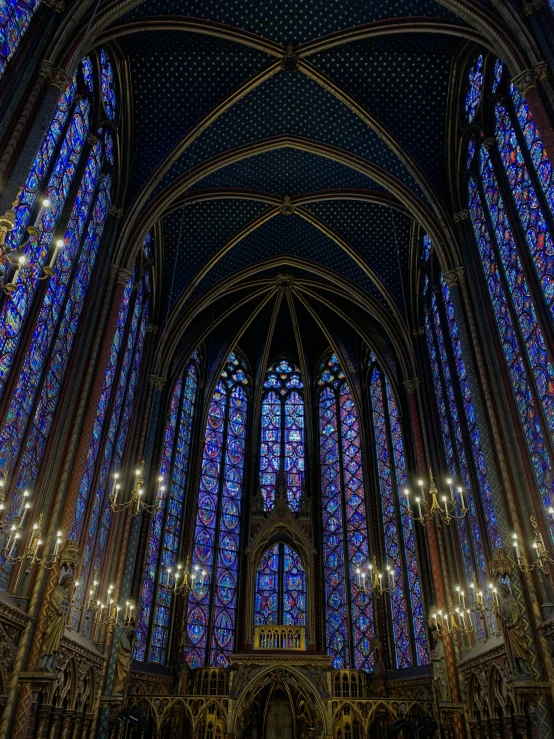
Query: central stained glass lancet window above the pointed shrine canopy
(282, 433)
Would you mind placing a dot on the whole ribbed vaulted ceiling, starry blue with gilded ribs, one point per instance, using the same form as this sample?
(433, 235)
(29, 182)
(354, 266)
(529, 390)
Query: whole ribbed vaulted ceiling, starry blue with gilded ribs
(307, 138)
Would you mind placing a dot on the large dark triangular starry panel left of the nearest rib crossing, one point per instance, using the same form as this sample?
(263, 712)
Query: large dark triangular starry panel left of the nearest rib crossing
(177, 78)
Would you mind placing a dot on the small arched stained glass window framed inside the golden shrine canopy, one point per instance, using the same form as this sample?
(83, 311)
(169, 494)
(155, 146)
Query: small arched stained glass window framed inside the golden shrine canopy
(280, 591)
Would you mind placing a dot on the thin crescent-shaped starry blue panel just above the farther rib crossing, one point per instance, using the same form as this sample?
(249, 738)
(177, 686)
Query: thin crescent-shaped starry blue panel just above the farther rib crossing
(288, 172)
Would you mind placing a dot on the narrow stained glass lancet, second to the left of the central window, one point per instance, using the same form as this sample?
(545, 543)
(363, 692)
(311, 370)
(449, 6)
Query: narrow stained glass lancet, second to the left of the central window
(166, 526)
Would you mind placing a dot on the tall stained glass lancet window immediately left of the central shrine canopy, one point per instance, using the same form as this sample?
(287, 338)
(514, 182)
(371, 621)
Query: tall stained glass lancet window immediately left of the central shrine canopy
(212, 608)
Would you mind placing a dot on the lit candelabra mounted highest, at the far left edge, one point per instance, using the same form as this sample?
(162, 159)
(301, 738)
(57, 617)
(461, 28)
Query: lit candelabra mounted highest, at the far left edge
(14, 259)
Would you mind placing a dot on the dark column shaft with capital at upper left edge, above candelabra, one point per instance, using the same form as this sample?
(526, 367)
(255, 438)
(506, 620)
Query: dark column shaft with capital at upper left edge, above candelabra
(17, 156)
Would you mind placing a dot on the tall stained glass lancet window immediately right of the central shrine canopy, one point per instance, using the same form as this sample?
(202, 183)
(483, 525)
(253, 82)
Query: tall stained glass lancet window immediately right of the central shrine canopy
(349, 610)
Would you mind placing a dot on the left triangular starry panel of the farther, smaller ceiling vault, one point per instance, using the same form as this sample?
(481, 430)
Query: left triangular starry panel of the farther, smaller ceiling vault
(194, 234)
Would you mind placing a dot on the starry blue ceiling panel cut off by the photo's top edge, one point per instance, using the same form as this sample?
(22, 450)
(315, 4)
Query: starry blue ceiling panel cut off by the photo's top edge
(291, 21)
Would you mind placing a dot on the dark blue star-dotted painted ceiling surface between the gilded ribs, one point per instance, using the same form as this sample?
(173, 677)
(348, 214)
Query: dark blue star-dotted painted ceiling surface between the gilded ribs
(178, 77)
